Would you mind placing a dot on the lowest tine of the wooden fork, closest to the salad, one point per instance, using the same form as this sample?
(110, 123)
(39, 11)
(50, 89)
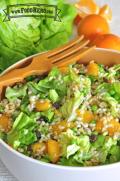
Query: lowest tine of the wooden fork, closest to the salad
(74, 57)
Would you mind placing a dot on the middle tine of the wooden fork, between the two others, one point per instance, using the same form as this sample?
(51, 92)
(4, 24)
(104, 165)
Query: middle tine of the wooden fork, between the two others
(70, 52)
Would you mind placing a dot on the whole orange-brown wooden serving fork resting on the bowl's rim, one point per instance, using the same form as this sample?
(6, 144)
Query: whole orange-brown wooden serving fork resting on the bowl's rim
(63, 56)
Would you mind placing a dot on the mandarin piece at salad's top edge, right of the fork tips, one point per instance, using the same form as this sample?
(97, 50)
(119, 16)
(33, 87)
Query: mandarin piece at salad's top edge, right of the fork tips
(92, 69)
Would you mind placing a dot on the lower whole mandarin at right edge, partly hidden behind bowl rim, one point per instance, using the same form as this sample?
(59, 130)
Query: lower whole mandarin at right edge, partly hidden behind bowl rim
(109, 41)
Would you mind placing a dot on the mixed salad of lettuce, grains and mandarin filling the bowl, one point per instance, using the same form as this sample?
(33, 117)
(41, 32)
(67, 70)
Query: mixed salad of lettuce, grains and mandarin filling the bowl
(69, 117)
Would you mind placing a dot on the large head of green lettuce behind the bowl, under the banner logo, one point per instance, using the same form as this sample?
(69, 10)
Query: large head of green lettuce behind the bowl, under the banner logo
(22, 37)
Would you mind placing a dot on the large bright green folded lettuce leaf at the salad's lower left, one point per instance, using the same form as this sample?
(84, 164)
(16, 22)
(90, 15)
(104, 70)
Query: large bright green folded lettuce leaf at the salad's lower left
(22, 132)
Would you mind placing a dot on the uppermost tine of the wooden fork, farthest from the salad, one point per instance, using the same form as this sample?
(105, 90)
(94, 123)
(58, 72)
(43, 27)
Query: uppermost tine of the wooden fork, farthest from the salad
(65, 47)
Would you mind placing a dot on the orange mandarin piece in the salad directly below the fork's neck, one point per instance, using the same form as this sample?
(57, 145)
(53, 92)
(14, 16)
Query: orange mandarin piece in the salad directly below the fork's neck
(42, 105)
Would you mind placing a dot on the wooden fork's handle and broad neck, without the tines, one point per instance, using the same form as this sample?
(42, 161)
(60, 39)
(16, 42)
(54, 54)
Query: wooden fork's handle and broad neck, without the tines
(38, 66)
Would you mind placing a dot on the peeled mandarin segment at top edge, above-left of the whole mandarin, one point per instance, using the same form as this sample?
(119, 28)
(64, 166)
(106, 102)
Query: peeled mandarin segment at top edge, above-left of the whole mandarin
(86, 7)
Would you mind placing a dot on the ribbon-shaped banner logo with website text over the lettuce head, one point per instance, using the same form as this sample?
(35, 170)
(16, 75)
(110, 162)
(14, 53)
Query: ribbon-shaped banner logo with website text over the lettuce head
(32, 10)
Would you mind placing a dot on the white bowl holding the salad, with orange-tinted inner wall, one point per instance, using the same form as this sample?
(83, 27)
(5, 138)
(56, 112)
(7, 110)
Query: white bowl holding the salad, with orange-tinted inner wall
(28, 169)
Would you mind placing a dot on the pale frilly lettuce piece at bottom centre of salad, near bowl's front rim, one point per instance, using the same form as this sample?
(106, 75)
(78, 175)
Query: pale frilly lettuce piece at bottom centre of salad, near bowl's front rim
(74, 146)
